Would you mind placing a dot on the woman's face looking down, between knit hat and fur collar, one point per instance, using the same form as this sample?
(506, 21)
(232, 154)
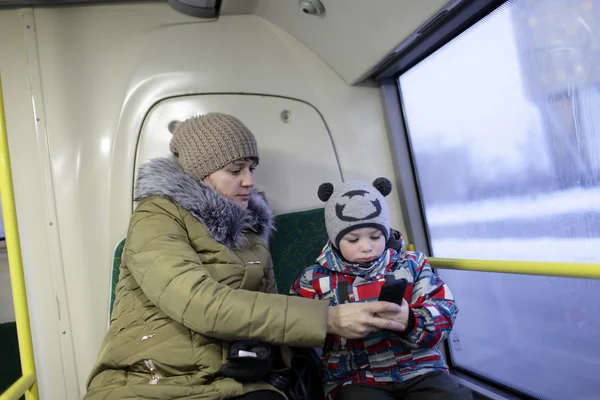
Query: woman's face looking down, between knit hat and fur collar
(234, 181)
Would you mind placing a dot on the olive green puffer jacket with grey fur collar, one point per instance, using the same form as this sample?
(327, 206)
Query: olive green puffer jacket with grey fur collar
(194, 276)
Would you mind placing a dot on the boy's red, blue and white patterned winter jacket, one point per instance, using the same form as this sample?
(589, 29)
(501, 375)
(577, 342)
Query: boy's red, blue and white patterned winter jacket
(383, 357)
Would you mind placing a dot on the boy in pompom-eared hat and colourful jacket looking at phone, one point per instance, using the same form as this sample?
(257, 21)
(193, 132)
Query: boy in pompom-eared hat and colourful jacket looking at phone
(352, 267)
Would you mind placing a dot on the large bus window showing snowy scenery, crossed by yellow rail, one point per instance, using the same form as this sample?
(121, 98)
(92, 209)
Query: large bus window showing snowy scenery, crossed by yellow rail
(505, 135)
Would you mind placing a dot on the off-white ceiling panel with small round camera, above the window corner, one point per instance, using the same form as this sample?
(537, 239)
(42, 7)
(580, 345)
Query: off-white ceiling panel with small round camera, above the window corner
(354, 35)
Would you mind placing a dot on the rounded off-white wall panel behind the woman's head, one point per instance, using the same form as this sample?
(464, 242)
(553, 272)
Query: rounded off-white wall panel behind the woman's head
(295, 157)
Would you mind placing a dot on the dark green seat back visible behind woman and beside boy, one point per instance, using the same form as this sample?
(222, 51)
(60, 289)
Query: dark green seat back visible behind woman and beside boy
(299, 238)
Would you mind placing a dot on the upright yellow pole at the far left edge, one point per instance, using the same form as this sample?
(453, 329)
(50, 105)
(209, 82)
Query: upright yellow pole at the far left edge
(27, 383)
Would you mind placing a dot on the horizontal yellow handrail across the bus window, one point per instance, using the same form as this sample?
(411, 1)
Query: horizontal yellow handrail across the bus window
(564, 269)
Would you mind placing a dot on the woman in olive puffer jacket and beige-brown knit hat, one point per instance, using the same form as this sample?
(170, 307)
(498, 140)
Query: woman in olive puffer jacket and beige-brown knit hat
(196, 278)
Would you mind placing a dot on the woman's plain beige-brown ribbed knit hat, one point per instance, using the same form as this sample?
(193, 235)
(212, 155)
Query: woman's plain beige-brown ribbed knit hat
(207, 143)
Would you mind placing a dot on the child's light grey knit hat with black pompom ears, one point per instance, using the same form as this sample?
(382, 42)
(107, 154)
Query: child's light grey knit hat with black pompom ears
(353, 205)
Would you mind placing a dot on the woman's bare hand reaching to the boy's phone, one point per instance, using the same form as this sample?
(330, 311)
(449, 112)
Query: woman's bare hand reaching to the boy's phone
(357, 320)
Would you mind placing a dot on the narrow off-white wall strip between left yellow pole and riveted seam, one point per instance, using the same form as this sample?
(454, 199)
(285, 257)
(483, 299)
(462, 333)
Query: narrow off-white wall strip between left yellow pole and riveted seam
(30, 184)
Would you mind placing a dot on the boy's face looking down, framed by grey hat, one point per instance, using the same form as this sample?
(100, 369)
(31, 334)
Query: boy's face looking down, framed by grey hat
(362, 245)
